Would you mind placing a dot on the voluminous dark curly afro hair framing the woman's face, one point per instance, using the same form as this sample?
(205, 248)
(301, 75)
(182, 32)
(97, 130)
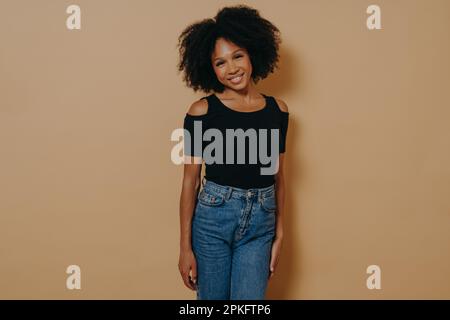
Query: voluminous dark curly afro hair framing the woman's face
(239, 24)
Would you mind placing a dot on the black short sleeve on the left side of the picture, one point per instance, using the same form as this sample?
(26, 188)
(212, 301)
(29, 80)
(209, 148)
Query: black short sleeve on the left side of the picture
(193, 142)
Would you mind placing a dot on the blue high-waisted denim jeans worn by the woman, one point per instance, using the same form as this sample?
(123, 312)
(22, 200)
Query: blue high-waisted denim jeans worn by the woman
(232, 234)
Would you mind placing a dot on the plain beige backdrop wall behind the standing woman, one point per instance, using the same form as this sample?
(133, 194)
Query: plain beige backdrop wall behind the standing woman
(86, 176)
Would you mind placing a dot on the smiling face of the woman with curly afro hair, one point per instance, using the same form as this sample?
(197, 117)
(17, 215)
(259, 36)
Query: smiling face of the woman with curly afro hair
(231, 64)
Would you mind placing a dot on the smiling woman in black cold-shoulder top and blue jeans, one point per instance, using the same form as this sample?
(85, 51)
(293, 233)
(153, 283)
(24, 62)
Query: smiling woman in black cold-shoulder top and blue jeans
(232, 230)
